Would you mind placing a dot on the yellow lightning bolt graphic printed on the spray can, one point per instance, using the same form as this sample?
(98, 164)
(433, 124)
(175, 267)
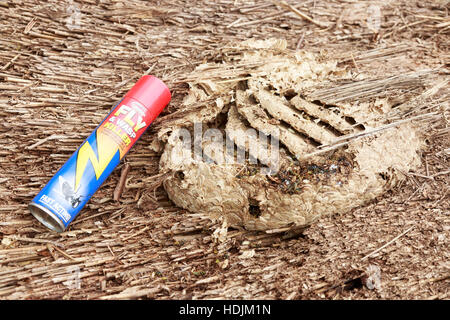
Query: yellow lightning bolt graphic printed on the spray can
(106, 148)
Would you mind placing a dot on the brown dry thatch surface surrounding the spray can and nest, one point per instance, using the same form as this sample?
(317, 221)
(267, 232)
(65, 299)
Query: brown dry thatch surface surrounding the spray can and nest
(59, 80)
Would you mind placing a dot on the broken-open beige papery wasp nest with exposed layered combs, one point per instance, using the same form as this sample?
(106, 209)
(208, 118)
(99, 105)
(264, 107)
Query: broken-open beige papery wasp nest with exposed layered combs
(337, 148)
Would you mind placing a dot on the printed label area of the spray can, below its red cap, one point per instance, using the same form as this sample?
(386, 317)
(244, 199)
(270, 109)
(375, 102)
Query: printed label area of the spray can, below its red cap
(85, 171)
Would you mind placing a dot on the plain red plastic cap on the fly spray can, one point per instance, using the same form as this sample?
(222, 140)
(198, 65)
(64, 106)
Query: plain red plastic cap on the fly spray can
(152, 93)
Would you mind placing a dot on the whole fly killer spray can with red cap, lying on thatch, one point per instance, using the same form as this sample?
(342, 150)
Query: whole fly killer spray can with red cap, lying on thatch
(79, 178)
